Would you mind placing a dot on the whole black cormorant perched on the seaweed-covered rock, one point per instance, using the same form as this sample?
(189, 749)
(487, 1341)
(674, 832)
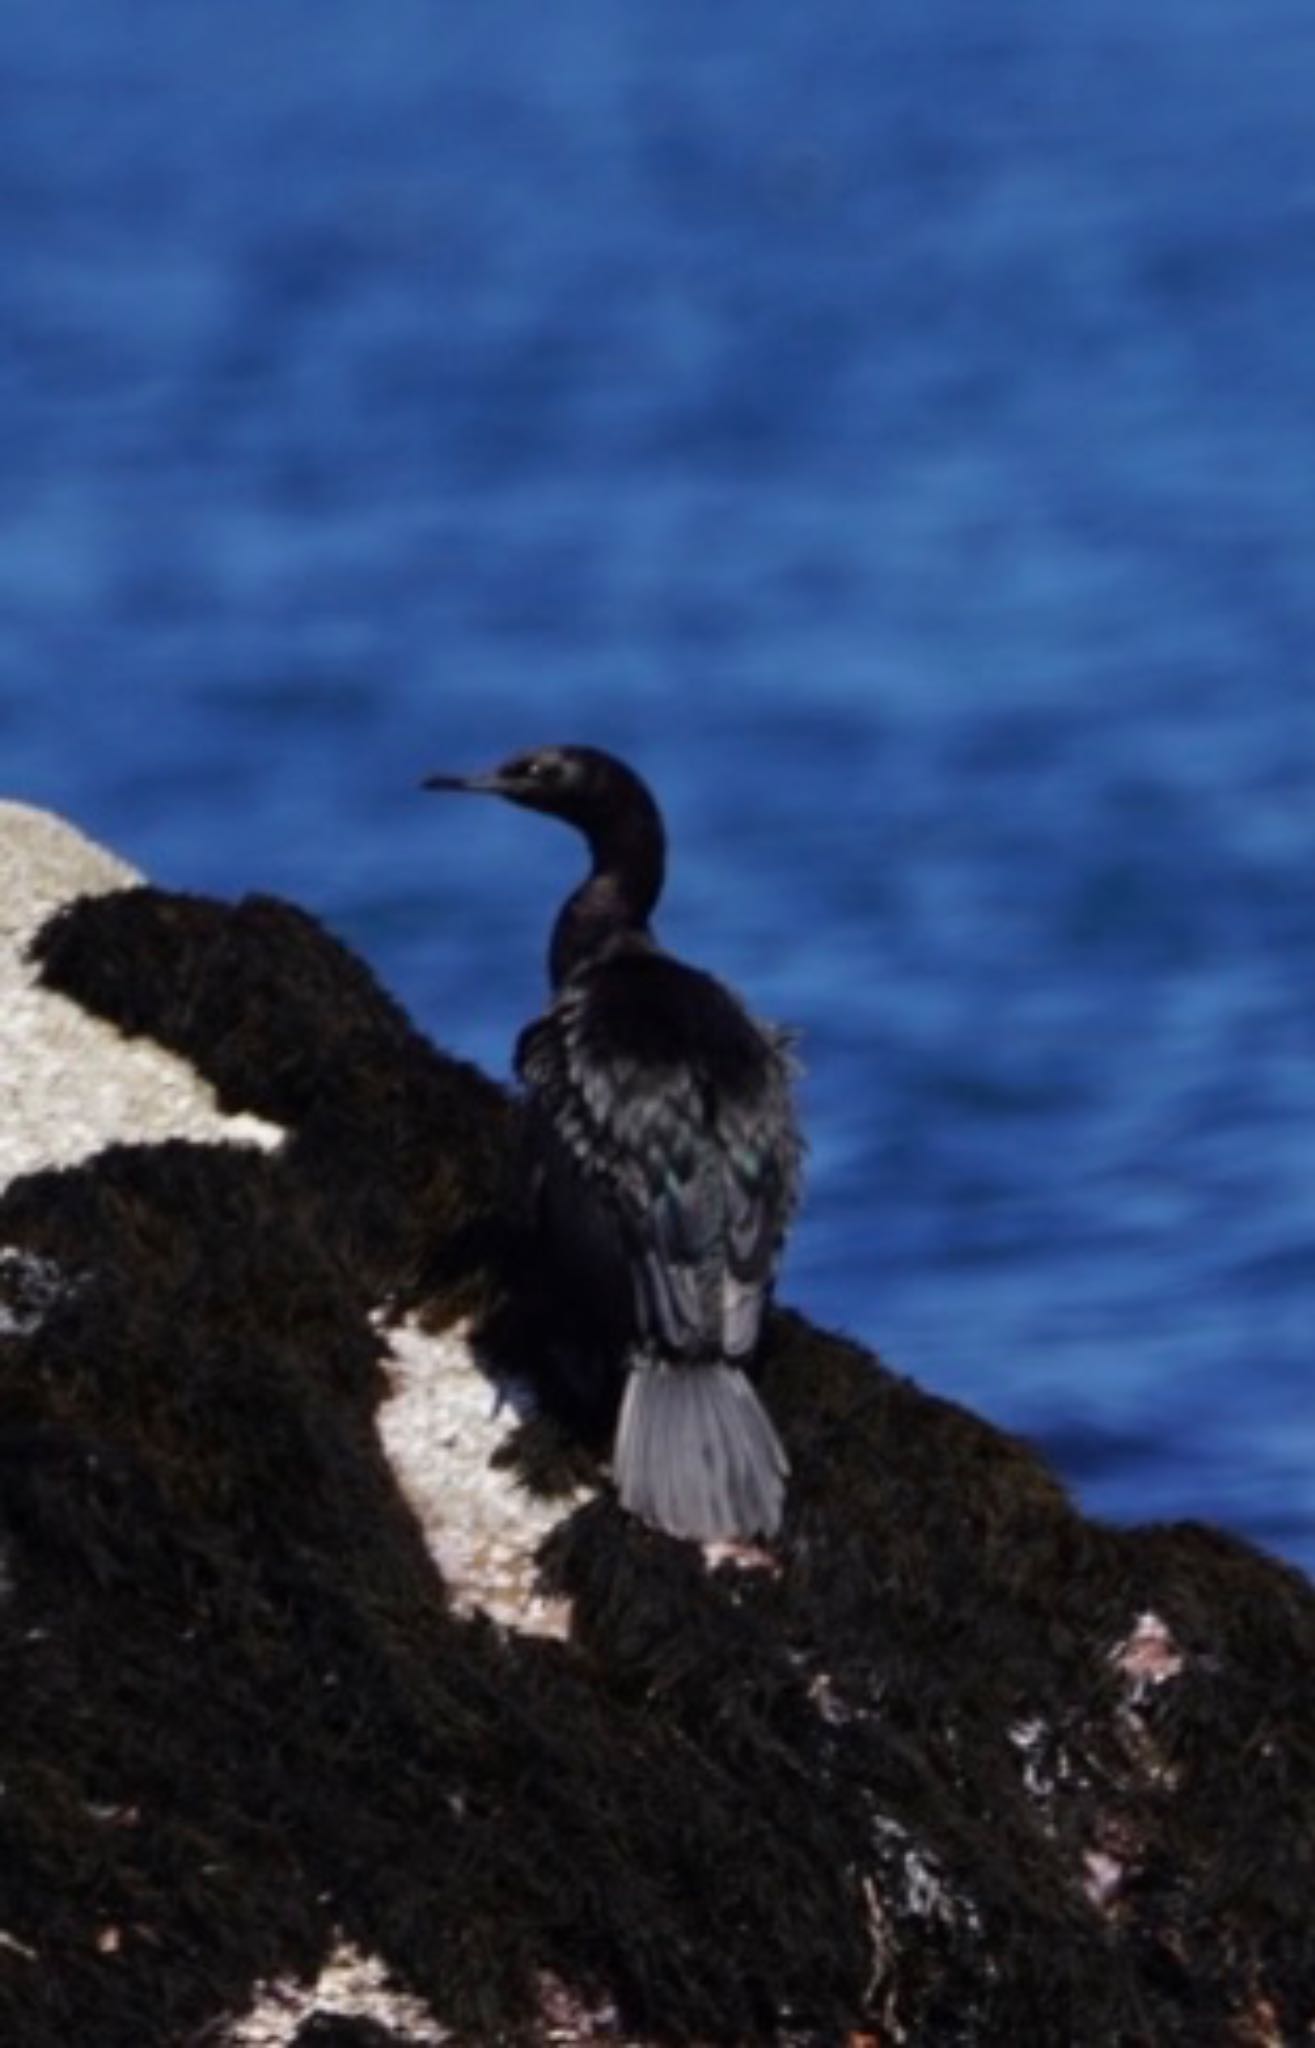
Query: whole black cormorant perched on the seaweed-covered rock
(667, 1160)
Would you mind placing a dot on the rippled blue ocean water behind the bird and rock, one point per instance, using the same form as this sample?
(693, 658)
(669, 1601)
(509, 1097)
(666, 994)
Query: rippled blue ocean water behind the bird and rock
(890, 427)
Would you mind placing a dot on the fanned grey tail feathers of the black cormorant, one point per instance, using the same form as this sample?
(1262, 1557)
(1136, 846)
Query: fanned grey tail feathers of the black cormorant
(697, 1455)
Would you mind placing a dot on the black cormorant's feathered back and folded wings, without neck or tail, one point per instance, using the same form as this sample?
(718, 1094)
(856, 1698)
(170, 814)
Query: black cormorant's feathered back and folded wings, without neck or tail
(667, 1148)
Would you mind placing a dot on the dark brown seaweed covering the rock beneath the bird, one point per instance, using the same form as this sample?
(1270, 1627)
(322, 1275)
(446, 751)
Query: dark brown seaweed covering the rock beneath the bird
(949, 1766)
